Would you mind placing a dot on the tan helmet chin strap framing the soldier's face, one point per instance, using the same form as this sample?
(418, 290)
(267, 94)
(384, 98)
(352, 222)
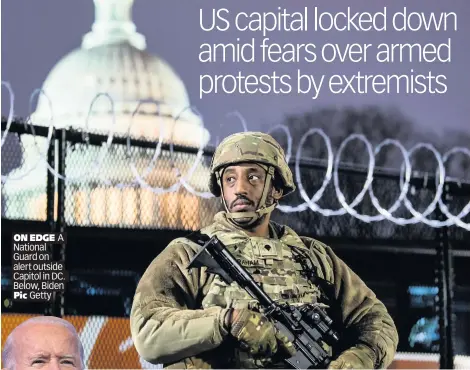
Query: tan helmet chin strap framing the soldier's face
(261, 211)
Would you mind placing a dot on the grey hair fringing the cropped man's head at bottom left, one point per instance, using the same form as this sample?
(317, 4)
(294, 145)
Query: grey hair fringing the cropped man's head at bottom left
(7, 354)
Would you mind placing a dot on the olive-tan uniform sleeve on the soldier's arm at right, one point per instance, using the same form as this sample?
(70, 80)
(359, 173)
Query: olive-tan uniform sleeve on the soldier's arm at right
(370, 328)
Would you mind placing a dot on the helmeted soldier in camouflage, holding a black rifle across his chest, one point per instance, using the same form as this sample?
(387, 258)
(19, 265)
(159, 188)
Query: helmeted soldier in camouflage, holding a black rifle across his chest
(193, 319)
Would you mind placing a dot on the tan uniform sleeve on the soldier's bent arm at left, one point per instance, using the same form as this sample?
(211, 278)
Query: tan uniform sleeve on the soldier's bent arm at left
(166, 324)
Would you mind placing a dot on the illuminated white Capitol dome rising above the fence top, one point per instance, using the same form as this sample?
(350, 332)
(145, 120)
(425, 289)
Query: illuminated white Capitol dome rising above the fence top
(112, 61)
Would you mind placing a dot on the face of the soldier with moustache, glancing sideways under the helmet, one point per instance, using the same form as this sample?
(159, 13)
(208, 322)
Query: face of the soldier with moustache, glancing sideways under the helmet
(243, 186)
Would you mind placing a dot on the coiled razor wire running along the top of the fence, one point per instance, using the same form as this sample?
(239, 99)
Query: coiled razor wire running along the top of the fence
(332, 167)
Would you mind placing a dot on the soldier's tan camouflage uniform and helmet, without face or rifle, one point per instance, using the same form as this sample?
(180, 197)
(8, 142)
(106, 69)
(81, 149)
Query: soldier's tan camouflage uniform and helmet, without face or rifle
(177, 316)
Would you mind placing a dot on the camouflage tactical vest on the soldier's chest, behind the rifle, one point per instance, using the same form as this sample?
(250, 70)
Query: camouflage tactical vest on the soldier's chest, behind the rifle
(272, 263)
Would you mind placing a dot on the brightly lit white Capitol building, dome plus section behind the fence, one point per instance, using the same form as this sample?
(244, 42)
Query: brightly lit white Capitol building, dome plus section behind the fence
(148, 101)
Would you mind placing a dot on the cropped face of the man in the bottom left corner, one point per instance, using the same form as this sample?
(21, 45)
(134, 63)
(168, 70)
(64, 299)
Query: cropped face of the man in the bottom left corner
(46, 346)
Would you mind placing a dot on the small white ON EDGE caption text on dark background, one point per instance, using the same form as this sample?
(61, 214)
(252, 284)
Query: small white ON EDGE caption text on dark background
(36, 274)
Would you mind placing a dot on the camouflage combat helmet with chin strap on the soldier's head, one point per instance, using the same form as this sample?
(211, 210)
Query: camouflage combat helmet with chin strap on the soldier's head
(254, 147)
